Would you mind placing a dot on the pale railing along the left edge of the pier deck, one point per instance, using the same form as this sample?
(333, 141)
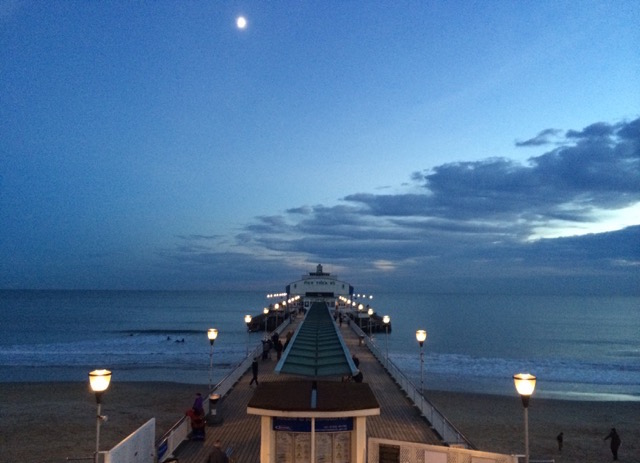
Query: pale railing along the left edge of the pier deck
(179, 432)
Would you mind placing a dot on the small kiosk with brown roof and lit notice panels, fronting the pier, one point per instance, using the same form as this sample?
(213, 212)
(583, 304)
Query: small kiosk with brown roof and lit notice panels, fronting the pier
(306, 421)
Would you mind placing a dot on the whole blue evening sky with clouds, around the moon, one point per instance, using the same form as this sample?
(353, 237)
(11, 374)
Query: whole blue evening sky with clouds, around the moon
(438, 146)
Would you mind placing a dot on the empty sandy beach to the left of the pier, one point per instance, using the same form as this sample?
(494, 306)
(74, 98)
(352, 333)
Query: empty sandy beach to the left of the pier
(49, 422)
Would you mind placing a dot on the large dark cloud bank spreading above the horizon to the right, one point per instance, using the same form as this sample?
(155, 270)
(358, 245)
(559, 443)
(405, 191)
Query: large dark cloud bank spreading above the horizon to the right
(470, 224)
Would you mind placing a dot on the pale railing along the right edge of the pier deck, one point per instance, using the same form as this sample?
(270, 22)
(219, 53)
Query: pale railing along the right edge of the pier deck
(438, 421)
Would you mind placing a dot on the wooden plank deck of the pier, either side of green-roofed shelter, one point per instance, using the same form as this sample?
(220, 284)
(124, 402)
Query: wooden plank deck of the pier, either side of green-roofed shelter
(399, 419)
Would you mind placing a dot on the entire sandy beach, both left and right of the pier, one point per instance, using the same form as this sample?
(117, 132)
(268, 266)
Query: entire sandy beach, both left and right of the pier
(49, 422)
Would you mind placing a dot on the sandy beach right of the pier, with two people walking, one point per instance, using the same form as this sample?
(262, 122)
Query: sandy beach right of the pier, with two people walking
(496, 423)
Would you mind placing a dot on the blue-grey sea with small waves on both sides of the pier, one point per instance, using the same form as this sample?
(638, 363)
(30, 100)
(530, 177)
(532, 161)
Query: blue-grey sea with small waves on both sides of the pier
(579, 347)
